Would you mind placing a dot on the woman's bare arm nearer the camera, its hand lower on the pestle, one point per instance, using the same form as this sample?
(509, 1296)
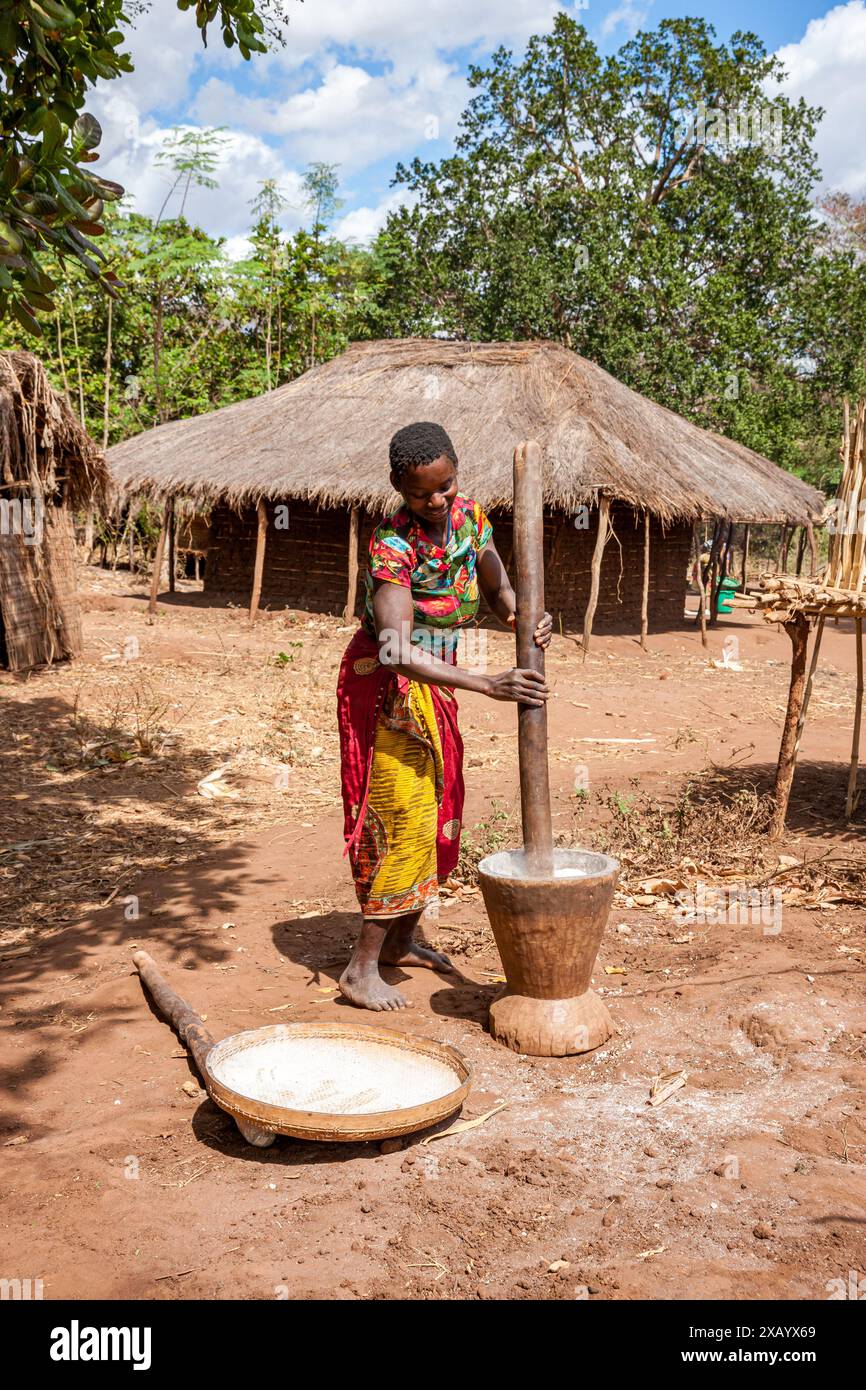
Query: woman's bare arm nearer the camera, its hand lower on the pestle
(393, 614)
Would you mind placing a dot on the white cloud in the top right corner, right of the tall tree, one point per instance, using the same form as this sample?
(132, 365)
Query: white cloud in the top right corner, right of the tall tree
(828, 67)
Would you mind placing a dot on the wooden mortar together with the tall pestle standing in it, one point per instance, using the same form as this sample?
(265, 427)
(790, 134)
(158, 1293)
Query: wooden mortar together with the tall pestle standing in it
(548, 928)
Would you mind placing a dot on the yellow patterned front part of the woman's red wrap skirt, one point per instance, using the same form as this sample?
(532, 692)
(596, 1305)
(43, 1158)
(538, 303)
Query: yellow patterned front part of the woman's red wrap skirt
(395, 867)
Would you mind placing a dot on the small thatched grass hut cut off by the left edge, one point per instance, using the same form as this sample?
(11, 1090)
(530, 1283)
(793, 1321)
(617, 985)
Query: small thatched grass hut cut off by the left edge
(49, 466)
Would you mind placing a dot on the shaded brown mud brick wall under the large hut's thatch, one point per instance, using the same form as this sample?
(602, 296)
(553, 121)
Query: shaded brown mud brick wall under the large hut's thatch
(305, 565)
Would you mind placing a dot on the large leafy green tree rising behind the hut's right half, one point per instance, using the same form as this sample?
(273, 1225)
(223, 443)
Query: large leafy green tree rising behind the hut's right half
(651, 209)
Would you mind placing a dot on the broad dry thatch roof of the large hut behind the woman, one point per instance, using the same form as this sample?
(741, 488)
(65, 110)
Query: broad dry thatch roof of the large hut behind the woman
(325, 437)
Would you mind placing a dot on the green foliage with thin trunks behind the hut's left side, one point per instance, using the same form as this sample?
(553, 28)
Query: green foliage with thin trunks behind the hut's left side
(193, 330)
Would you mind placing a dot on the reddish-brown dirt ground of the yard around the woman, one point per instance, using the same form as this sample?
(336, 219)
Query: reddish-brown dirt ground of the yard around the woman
(749, 1182)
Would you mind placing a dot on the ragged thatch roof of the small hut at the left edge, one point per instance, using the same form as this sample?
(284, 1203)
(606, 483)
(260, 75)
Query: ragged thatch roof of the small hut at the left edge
(44, 450)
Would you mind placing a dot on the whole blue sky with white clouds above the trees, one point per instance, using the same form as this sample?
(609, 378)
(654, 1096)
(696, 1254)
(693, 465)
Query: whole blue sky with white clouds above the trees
(365, 84)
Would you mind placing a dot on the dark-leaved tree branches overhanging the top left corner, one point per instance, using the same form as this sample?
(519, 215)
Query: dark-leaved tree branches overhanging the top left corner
(51, 202)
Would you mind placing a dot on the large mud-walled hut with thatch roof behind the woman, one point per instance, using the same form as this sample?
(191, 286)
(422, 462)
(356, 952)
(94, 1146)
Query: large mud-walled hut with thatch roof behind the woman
(320, 444)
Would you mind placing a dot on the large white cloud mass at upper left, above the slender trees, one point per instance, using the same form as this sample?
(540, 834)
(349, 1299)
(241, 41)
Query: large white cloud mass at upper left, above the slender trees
(312, 101)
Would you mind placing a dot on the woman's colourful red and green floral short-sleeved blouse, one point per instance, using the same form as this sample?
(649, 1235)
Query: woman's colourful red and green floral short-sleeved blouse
(443, 579)
